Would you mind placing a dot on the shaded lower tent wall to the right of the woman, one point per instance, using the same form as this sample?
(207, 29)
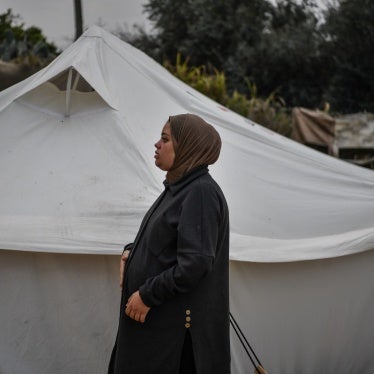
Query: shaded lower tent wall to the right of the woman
(305, 317)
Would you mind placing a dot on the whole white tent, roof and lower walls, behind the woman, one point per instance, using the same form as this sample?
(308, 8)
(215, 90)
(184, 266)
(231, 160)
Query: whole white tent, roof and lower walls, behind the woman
(77, 175)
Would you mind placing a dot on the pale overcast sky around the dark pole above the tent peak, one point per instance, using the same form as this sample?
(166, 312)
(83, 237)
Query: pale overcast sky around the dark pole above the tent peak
(56, 17)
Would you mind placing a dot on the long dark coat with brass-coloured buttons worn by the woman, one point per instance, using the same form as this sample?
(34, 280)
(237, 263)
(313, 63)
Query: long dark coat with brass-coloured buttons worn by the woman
(179, 263)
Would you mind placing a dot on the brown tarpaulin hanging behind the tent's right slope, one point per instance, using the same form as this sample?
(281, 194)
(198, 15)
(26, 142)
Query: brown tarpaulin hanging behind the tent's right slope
(313, 128)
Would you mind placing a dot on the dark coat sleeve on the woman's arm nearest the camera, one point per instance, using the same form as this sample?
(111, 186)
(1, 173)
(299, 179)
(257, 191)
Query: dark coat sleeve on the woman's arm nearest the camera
(198, 230)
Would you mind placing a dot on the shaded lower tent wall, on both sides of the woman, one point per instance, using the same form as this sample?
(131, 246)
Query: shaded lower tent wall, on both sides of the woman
(61, 312)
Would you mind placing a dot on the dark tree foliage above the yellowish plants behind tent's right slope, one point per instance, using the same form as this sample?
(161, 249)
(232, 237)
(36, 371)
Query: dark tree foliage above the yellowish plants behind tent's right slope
(287, 45)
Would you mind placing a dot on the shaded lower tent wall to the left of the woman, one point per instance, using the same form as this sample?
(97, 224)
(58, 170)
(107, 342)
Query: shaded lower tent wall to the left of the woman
(58, 312)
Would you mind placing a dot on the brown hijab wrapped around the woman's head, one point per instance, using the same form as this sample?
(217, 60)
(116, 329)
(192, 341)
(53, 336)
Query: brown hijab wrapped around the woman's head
(195, 142)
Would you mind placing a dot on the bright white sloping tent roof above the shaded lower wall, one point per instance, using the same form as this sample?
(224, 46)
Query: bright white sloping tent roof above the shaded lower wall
(81, 183)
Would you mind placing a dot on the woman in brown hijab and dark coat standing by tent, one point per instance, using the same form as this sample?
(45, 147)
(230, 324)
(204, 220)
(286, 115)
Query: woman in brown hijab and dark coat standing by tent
(174, 315)
